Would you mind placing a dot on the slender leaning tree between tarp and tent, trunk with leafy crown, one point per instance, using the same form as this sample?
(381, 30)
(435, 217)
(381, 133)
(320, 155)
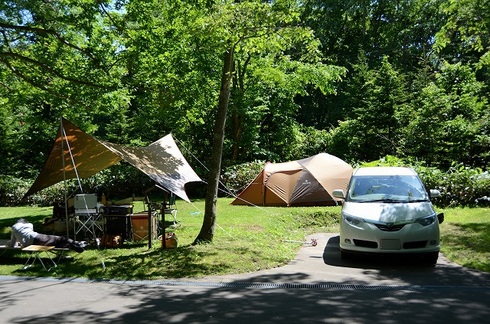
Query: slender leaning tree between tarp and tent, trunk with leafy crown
(252, 27)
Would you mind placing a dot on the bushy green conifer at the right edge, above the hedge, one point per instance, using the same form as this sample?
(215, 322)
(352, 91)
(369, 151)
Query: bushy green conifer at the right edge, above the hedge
(448, 124)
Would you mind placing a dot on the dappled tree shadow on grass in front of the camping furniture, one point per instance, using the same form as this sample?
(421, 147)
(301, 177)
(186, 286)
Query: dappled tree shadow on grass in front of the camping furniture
(127, 263)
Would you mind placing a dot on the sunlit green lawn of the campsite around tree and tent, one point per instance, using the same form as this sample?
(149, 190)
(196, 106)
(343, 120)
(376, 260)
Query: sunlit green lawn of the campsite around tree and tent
(246, 239)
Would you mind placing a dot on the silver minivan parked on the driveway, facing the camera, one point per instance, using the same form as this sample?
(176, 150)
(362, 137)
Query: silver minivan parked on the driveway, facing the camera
(388, 210)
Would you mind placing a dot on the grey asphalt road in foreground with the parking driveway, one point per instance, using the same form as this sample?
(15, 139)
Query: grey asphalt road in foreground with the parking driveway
(316, 287)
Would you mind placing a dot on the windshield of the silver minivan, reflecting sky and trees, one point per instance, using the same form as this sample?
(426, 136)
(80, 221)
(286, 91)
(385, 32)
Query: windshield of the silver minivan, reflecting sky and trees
(393, 188)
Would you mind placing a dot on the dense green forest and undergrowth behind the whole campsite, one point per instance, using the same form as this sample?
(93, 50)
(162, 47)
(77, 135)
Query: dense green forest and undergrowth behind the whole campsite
(403, 81)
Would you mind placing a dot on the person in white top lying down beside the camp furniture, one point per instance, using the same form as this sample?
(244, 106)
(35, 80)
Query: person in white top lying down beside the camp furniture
(23, 232)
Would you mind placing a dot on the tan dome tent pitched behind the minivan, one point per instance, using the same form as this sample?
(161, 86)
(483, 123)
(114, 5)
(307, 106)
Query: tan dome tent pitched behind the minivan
(306, 182)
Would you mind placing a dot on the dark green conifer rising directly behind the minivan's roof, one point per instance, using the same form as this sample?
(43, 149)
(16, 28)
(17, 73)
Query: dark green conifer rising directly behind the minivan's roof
(372, 129)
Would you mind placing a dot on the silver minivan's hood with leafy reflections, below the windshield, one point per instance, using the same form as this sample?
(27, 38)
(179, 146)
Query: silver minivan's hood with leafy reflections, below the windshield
(388, 212)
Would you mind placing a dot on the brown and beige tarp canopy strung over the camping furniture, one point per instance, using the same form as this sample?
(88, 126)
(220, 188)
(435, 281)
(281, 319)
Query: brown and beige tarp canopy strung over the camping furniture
(162, 160)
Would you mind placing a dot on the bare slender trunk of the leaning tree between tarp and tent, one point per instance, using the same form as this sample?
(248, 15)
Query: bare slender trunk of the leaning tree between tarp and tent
(207, 230)
